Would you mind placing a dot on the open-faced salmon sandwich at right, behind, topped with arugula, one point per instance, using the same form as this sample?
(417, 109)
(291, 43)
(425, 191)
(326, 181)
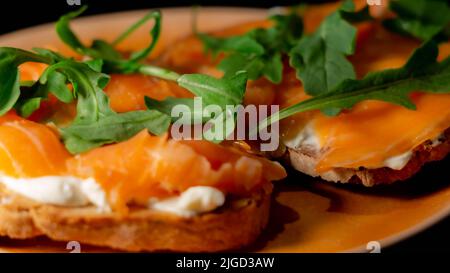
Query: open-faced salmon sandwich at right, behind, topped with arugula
(334, 58)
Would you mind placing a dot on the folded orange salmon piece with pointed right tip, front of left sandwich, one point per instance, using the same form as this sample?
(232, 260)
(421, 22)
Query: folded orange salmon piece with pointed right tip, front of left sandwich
(155, 166)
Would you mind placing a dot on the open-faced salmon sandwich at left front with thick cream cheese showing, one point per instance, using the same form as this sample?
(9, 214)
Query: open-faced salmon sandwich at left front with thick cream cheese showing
(82, 158)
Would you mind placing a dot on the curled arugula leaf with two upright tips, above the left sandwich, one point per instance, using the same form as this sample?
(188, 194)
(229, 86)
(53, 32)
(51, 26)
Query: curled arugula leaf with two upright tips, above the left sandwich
(113, 60)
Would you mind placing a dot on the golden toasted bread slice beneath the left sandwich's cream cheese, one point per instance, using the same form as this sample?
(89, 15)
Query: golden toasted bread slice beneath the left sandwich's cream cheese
(236, 224)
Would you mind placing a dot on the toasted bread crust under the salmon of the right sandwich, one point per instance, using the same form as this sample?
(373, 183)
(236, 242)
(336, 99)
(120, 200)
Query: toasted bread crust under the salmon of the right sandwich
(305, 160)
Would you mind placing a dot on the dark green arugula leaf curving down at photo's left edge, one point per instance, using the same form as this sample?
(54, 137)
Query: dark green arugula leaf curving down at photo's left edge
(10, 59)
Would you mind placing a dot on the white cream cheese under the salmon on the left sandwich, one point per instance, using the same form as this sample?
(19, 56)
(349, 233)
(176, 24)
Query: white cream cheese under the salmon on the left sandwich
(76, 192)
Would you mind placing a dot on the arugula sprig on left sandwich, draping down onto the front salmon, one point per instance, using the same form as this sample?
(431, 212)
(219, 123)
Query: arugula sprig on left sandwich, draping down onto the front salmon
(95, 123)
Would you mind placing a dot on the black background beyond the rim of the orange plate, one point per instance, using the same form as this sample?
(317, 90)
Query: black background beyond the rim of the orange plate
(17, 14)
